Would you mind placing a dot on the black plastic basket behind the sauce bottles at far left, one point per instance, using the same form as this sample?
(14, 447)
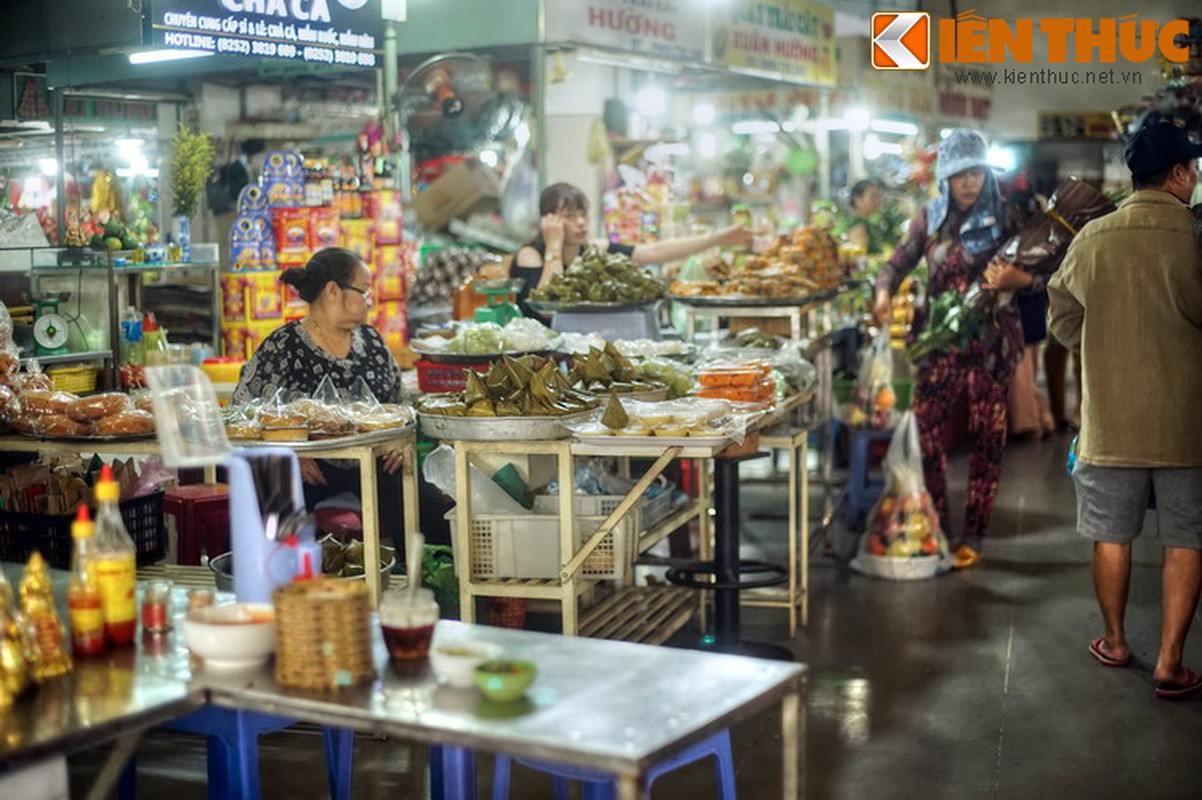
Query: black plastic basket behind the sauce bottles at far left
(23, 534)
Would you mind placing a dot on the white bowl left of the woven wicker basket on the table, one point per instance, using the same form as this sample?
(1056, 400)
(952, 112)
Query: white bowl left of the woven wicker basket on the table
(231, 637)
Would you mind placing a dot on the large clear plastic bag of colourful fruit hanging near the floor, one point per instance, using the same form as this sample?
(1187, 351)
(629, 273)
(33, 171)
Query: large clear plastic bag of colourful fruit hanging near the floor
(905, 540)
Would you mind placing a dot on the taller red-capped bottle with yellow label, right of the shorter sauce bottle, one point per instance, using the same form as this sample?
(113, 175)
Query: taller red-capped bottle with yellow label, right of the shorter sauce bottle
(116, 563)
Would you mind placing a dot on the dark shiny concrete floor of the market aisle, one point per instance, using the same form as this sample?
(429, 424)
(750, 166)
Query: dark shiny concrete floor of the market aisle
(973, 685)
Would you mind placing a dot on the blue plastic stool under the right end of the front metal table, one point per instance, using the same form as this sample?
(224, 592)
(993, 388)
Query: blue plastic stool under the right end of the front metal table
(603, 786)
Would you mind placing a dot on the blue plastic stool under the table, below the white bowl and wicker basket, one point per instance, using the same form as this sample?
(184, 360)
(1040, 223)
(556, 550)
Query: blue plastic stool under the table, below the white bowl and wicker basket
(233, 745)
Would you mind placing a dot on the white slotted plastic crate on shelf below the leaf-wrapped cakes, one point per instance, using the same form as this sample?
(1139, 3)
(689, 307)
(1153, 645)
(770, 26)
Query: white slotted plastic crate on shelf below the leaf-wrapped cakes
(528, 546)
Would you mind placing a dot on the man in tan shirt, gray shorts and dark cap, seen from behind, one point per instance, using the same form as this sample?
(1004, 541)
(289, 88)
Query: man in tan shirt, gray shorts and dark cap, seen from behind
(1130, 294)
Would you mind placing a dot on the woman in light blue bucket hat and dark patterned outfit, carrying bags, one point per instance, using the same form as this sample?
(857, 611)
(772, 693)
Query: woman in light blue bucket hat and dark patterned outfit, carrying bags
(957, 234)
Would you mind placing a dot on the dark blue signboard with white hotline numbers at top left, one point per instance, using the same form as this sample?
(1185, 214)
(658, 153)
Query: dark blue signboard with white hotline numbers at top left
(340, 33)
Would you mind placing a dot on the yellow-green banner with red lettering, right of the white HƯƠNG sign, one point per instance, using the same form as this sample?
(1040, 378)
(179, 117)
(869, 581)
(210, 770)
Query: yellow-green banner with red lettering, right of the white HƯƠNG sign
(792, 39)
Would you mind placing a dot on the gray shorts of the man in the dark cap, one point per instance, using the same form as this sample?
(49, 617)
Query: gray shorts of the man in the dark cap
(1112, 504)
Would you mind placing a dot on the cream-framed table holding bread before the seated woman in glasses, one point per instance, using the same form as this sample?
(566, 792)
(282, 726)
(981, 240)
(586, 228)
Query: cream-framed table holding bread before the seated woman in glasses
(365, 453)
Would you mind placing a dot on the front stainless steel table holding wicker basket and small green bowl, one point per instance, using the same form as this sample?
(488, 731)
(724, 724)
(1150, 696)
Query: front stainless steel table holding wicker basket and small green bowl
(608, 706)
